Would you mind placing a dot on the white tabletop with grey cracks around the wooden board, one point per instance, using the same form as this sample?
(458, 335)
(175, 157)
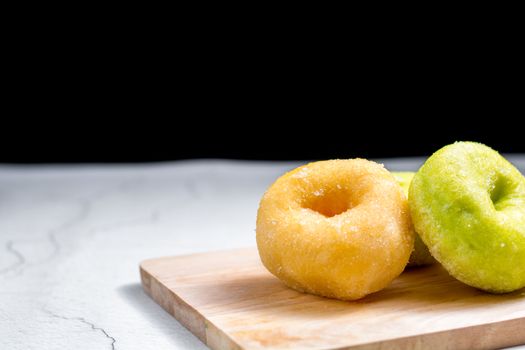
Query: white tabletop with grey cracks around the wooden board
(71, 239)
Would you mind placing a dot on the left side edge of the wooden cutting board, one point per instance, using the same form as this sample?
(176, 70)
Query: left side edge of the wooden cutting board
(186, 315)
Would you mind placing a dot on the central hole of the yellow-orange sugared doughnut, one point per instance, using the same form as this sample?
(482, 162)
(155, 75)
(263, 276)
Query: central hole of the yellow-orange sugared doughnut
(328, 203)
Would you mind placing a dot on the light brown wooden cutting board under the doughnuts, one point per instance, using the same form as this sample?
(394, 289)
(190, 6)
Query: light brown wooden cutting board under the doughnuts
(229, 301)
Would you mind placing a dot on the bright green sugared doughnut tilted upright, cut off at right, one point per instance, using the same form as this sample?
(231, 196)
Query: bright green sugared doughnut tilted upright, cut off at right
(468, 205)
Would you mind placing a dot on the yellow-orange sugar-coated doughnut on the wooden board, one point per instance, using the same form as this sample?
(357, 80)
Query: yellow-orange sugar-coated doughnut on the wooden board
(336, 228)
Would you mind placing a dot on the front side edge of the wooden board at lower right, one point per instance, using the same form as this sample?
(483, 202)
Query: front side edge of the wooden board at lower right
(481, 337)
